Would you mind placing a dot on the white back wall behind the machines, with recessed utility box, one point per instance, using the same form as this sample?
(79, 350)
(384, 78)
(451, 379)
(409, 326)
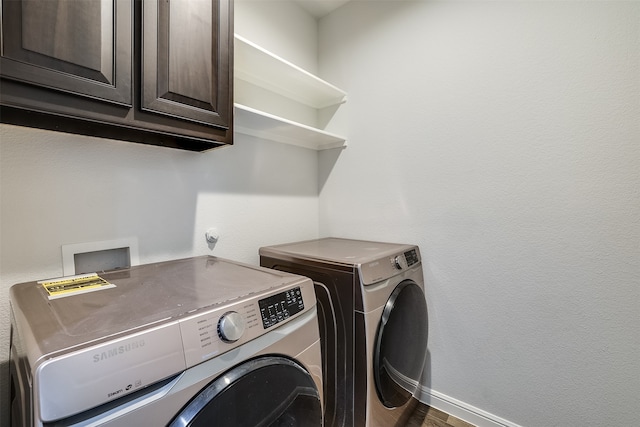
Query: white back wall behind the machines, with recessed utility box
(58, 189)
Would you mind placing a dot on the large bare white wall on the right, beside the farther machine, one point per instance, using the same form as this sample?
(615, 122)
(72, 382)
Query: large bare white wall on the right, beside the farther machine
(503, 138)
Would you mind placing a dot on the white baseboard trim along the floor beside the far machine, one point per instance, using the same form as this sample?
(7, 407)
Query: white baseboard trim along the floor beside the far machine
(462, 410)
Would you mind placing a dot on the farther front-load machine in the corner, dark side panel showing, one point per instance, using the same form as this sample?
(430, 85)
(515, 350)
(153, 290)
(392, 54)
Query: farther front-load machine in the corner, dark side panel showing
(373, 324)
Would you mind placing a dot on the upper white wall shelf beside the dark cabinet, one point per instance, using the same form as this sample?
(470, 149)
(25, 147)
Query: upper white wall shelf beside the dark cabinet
(262, 68)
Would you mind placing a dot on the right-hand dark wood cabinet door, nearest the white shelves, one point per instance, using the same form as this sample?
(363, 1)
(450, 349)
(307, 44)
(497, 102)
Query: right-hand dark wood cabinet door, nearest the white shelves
(186, 63)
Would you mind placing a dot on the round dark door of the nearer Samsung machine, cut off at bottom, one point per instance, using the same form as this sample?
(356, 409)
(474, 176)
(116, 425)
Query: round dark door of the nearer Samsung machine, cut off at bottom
(267, 391)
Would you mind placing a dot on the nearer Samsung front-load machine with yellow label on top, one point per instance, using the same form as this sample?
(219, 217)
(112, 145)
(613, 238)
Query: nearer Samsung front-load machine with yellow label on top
(194, 342)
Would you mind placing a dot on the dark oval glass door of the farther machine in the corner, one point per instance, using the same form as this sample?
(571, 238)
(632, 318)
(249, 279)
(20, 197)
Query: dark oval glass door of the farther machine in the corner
(401, 345)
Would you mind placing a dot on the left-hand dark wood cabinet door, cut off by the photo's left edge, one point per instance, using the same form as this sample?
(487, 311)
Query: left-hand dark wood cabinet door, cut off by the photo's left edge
(80, 47)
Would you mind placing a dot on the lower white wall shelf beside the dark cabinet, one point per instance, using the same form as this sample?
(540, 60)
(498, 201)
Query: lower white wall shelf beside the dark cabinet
(259, 124)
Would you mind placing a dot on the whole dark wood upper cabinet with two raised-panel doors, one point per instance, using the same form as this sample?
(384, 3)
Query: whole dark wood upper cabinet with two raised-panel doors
(152, 71)
